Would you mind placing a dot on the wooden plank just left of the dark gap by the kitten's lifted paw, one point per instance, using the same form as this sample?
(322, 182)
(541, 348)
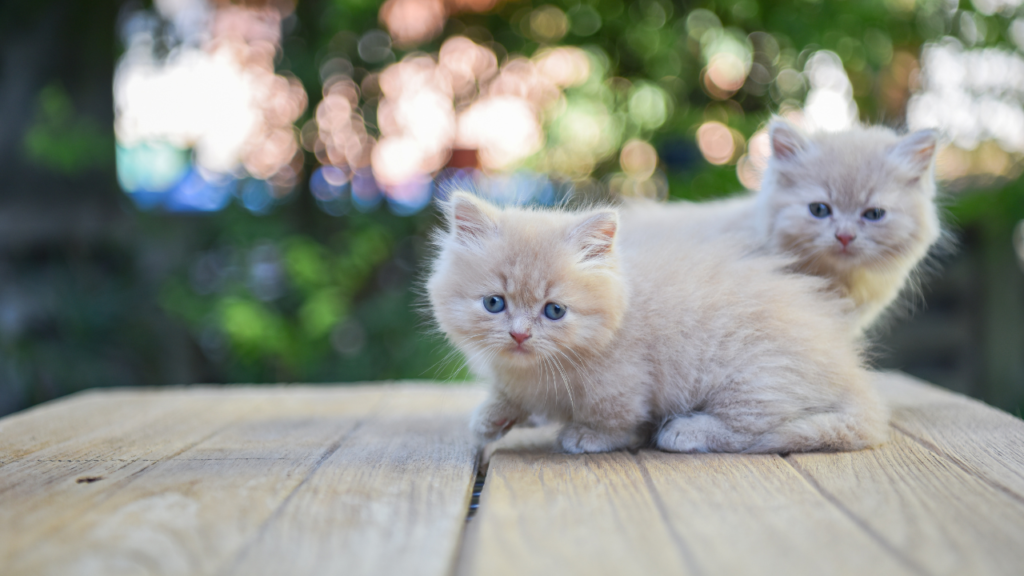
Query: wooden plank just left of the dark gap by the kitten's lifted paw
(392, 500)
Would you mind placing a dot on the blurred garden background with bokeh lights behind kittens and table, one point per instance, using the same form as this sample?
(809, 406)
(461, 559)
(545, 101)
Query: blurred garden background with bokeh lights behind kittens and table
(204, 191)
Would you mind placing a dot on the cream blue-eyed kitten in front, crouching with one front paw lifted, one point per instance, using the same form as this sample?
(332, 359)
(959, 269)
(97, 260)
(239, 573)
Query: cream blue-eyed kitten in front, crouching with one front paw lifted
(696, 347)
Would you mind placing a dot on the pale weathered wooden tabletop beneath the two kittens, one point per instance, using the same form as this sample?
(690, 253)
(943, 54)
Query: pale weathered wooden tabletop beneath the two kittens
(379, 480)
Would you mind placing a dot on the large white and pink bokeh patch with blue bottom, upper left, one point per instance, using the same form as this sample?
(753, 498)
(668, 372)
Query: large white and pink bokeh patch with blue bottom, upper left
(216, 95)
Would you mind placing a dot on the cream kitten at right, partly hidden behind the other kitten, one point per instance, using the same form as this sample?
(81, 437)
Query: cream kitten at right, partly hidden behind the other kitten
(851, 172)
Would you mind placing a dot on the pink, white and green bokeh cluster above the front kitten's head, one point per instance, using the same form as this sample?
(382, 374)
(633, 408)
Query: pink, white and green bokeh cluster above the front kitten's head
(458, 108)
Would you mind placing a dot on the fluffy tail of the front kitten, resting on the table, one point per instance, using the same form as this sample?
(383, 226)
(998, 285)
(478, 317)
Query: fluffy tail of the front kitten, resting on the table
(862, 423)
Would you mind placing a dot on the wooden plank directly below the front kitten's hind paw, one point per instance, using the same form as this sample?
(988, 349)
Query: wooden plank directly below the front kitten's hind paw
(723, 504)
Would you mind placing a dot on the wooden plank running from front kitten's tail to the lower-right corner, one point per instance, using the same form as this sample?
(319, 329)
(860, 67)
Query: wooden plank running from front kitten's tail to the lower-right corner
(938, 517)
